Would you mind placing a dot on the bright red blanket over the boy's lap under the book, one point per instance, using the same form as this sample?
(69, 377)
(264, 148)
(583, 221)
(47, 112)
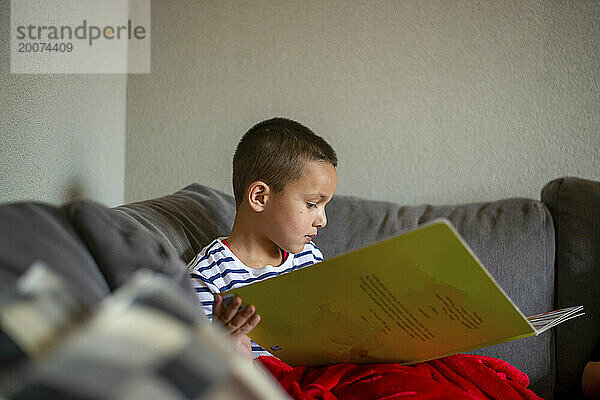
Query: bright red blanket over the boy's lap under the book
(461, 376)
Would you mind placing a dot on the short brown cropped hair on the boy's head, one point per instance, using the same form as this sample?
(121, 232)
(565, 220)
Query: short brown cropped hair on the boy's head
(274, 151)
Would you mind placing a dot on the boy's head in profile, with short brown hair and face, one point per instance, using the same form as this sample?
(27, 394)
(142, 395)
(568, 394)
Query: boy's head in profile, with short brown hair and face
(283, 175)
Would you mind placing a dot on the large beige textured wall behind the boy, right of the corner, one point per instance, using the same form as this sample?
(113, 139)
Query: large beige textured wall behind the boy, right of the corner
(424, 101)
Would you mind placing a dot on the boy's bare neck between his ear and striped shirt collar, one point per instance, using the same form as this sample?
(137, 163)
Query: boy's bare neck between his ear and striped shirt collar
(251, 248)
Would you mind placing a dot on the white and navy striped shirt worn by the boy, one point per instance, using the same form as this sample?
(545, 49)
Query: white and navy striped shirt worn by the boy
(216, 269)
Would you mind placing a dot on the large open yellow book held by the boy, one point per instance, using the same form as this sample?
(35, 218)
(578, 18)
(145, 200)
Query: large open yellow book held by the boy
(414, 297)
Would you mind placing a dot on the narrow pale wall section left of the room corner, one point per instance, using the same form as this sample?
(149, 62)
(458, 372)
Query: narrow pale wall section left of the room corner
(62, 137)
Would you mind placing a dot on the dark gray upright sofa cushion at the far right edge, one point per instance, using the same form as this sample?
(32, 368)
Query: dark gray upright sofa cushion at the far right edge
(575, 207)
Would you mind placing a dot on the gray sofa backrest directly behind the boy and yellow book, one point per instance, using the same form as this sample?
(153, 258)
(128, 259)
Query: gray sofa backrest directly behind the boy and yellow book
(513, 238)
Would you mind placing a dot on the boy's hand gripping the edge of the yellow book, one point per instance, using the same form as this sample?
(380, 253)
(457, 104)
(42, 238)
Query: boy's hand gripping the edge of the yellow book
(237, 323)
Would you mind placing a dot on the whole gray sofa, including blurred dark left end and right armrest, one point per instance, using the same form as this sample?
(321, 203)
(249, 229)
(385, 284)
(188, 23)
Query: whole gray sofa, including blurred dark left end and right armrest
(545, 254)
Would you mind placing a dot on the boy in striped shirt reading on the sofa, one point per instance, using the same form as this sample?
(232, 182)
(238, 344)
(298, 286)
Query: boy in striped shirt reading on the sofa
(283, 176)
